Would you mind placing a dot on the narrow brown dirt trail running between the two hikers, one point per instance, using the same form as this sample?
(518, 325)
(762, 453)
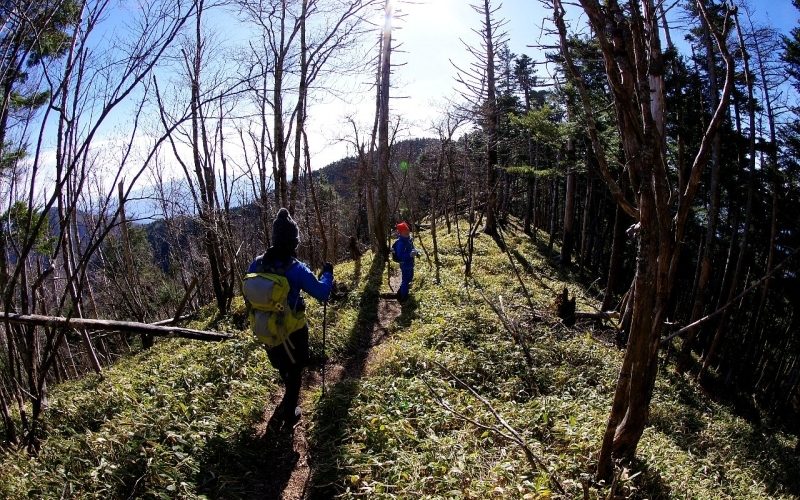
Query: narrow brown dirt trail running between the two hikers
(288, 468)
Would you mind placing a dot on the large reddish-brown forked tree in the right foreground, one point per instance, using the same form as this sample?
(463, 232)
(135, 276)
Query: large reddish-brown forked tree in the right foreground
(629, 39)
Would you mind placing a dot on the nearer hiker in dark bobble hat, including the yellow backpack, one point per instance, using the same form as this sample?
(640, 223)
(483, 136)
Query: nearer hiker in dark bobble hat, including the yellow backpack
(272, 289)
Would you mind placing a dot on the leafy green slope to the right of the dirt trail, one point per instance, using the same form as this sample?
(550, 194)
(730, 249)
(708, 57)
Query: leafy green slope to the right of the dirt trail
(396, 439)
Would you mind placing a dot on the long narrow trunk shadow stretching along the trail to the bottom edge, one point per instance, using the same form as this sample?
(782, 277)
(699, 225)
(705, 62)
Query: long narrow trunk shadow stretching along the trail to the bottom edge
(332, 418)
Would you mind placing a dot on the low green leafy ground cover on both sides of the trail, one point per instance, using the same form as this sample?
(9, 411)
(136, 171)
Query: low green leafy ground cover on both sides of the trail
(181, 419)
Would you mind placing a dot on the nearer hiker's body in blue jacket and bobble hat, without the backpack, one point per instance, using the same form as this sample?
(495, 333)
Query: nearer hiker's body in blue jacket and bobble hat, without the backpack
(290, 357)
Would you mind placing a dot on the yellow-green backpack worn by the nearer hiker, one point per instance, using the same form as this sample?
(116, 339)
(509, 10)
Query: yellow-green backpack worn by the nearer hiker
(271, 318)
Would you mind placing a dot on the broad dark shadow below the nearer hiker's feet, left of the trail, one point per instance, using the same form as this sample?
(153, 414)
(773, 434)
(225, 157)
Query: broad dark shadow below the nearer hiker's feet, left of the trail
(248, 464)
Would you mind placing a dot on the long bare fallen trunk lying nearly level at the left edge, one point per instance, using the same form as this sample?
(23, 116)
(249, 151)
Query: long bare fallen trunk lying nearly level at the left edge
(129, 327)
